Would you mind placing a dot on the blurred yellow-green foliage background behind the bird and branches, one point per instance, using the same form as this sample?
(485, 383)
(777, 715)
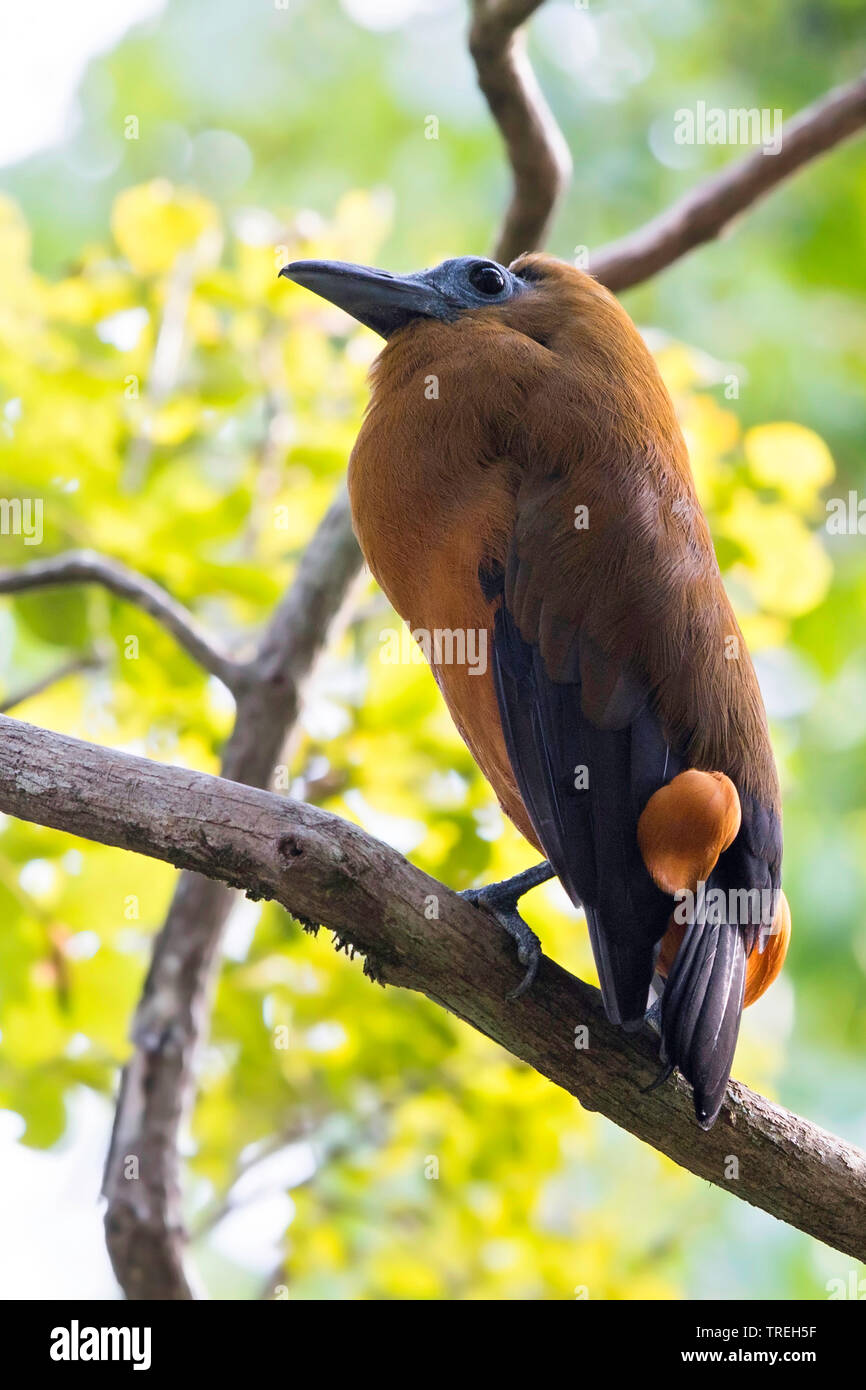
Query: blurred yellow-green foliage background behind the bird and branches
(180, 409)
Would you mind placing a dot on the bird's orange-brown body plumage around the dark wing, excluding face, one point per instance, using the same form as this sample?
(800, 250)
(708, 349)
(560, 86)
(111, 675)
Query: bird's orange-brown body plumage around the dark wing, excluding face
(548, 405)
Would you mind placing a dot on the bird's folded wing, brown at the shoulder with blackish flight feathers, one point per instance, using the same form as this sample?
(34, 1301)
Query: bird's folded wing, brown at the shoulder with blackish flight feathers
(583, 739)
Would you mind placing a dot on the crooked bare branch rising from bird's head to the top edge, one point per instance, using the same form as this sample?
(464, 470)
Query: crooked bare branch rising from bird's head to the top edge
(537, 152)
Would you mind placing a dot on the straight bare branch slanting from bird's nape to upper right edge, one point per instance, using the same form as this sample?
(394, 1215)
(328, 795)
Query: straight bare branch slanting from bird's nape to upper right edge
(712, 206)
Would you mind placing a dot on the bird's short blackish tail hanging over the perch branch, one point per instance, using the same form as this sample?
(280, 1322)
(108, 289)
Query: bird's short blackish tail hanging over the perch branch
(703, 1006)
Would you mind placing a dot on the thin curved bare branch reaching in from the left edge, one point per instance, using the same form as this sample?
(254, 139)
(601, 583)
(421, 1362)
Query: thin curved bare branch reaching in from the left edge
(91, 568)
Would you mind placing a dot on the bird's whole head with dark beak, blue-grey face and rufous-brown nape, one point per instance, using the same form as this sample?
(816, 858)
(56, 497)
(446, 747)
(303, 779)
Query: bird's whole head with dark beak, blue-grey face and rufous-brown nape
(504, 330)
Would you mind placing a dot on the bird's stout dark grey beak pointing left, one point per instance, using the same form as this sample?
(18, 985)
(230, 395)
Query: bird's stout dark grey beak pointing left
(377, 300)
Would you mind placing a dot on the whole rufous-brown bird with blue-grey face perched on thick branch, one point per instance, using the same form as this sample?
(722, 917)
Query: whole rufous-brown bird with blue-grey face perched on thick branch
(521, 475)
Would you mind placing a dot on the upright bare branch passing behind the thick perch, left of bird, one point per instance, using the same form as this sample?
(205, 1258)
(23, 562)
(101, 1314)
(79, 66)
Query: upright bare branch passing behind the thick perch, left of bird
(144, 1225)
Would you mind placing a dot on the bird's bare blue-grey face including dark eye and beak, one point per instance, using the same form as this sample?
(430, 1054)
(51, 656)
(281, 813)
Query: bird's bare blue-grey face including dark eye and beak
(387, 304)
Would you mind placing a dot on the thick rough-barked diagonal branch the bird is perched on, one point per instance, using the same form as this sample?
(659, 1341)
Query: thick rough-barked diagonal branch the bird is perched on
(325, 869)
